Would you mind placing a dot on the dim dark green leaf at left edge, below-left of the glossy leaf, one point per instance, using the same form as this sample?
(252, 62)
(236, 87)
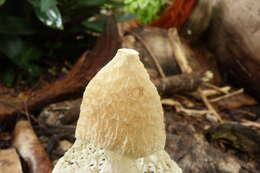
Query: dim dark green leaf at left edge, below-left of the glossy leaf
(15, 26)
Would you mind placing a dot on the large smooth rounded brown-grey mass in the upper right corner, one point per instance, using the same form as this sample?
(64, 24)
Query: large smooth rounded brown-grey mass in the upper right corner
(234, 37)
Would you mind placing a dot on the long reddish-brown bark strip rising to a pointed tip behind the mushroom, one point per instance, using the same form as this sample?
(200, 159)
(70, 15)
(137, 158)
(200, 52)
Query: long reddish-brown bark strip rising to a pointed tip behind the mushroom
(74, 83)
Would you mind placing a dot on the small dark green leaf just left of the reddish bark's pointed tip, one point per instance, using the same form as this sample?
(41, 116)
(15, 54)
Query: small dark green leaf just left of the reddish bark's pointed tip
(96, 25)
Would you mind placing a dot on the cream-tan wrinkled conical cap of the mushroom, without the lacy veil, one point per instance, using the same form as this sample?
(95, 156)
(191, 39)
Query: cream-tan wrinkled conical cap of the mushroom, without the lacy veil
(121, 109)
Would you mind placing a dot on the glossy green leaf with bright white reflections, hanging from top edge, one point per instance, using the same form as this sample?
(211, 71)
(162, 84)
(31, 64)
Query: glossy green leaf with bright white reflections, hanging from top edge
(48, 13)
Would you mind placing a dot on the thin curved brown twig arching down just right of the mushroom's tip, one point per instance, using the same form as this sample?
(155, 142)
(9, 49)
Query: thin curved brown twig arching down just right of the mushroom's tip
(156, 62)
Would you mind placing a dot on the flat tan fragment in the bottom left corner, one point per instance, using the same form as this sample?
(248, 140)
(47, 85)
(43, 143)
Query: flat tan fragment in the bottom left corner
(10, 162)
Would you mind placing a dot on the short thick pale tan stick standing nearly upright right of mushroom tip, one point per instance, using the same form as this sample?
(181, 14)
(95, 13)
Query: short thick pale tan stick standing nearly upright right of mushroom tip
(178, 51)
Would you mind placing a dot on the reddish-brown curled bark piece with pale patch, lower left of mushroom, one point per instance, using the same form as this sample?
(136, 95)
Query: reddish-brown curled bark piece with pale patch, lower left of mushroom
(30, 148)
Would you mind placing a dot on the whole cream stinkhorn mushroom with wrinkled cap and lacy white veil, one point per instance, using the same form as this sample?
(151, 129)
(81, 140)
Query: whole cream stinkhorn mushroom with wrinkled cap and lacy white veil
(121, 125)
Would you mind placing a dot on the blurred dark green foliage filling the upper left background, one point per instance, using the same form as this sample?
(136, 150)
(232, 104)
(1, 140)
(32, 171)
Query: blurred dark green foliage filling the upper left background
(38, 36)
